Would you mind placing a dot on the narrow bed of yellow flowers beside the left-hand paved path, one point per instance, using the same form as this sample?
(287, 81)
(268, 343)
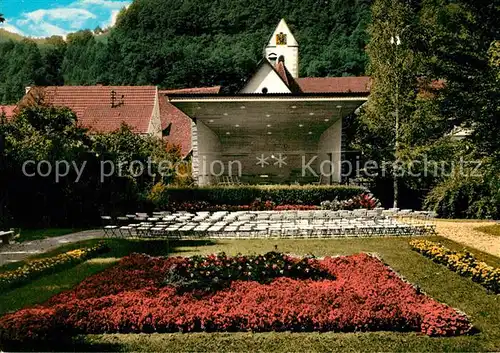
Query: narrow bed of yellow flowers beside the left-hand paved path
(36, 268)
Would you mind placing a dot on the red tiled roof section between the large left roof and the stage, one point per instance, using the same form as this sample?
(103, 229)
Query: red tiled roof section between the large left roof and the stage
(180, 123)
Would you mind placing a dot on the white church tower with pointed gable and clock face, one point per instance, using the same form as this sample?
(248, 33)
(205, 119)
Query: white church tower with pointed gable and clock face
(284, 46)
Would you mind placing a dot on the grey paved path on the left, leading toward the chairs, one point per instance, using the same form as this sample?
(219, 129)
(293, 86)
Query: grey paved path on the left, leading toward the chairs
(21, 251)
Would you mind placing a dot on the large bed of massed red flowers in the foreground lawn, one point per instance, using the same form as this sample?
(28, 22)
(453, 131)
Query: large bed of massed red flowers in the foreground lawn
(131, 297)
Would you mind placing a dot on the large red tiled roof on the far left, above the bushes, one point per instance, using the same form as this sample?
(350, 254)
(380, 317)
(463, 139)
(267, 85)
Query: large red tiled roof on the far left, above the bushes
(97, 110)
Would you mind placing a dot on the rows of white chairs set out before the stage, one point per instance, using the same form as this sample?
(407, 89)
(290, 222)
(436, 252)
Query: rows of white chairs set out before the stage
(251, 224)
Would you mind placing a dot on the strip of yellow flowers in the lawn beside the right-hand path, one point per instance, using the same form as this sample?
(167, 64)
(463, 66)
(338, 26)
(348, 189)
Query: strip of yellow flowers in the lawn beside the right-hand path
(463, 263)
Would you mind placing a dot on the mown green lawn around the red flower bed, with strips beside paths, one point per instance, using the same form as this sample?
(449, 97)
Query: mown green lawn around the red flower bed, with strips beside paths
(436, 280)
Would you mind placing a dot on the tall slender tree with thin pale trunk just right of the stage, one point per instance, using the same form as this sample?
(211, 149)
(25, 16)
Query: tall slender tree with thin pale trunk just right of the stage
(394, 62)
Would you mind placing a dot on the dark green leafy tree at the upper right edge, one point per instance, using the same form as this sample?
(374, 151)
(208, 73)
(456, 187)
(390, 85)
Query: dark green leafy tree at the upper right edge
(462, 35)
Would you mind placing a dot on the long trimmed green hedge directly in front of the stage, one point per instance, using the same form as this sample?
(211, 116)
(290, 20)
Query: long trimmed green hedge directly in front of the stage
(245, 195)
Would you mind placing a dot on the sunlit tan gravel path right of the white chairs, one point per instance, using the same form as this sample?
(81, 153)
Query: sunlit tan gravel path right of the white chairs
(464, 233)
